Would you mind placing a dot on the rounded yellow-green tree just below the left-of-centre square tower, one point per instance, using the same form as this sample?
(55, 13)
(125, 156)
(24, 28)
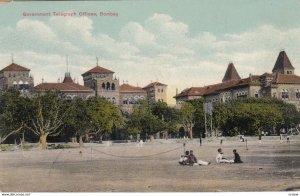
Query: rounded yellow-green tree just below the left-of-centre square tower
(103, 116)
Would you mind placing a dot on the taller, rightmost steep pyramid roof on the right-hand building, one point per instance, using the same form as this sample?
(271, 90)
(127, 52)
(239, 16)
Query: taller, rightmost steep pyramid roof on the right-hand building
(283, 64)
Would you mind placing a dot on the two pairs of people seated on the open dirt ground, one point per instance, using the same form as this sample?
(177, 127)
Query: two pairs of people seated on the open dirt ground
(190, 159)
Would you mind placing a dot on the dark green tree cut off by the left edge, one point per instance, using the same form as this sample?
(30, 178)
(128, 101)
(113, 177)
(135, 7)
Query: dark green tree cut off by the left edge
(14, 113)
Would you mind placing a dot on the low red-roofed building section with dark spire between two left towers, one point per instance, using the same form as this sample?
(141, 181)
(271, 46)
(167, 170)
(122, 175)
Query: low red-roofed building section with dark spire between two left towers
(67, 87)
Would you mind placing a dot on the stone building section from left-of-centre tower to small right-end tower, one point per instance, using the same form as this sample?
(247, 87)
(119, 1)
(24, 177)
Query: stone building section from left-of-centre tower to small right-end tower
(108, 86)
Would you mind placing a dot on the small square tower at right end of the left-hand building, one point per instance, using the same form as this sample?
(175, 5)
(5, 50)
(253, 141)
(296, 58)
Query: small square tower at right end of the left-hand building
(156, 91)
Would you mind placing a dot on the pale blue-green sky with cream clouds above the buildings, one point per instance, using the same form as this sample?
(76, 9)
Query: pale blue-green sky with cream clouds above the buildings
(179, 43)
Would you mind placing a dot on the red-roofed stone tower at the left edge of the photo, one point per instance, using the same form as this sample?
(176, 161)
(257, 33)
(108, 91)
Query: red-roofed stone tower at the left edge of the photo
(16, 76)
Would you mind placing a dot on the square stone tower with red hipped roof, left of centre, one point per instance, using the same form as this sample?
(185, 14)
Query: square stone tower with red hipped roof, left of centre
(103, 82)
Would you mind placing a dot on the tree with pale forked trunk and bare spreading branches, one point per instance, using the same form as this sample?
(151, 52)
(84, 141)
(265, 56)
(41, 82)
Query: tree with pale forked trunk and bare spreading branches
(48, 113)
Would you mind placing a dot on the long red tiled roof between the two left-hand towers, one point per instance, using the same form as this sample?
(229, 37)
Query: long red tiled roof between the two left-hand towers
(63, 87)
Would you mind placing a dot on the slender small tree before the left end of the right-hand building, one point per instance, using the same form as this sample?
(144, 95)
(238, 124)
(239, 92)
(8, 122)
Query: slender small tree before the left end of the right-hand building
(188, 117)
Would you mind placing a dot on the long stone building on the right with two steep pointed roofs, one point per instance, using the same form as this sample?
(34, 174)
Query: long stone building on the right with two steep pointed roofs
(282, 83)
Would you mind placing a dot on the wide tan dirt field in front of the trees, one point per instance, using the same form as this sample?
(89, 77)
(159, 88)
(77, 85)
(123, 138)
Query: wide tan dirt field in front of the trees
(269, 166)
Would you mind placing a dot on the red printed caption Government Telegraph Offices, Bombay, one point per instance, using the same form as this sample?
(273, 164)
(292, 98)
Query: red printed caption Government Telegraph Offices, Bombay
(71, 14)
